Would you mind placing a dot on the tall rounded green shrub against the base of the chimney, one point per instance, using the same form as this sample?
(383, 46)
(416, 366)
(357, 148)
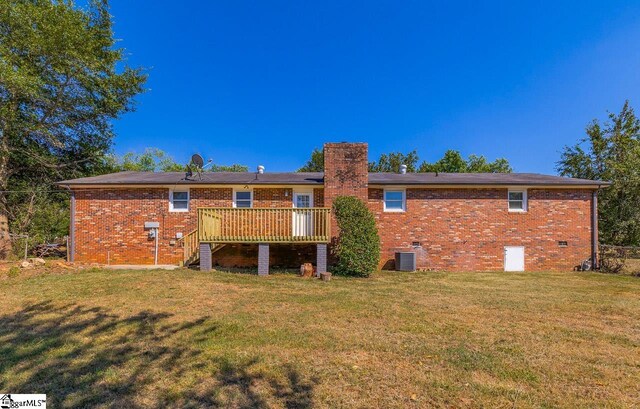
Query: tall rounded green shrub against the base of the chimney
(357, 250)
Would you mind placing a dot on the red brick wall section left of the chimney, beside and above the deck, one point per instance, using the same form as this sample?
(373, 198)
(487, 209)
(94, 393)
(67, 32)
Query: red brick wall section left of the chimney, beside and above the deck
(110, 222)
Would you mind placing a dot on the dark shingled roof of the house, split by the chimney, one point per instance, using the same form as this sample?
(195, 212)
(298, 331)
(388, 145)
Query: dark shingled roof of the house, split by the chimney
(317, 178)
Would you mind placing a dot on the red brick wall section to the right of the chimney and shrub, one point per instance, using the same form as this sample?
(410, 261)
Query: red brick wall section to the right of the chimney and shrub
(467, 229)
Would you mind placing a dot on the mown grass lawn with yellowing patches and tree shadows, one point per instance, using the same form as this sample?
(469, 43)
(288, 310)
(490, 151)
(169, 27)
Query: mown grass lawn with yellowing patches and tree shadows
(190, 339)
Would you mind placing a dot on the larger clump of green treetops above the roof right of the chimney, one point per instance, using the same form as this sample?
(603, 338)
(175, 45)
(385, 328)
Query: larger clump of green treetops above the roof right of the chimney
(453, 162)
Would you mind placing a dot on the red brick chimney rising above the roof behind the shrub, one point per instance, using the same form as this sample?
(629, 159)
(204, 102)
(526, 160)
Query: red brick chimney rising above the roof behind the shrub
(346, 171)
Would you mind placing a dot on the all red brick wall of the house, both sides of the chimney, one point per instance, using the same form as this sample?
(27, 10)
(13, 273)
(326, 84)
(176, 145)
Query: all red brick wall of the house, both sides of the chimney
(458, 229)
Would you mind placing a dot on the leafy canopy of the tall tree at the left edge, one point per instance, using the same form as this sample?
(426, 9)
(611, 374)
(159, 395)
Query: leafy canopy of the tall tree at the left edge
(62, 82)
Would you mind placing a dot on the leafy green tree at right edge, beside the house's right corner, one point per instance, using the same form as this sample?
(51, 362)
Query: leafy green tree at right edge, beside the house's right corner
(611, 152)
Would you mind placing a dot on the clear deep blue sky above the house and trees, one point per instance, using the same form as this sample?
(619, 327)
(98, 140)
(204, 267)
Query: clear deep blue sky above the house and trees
(266, 82)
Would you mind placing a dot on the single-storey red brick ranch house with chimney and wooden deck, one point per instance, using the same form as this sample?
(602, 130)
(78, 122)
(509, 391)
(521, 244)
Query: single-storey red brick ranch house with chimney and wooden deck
(452, 222)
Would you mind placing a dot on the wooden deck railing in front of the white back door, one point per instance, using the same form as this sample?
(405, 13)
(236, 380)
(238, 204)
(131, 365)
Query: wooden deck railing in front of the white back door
(264, 225)
